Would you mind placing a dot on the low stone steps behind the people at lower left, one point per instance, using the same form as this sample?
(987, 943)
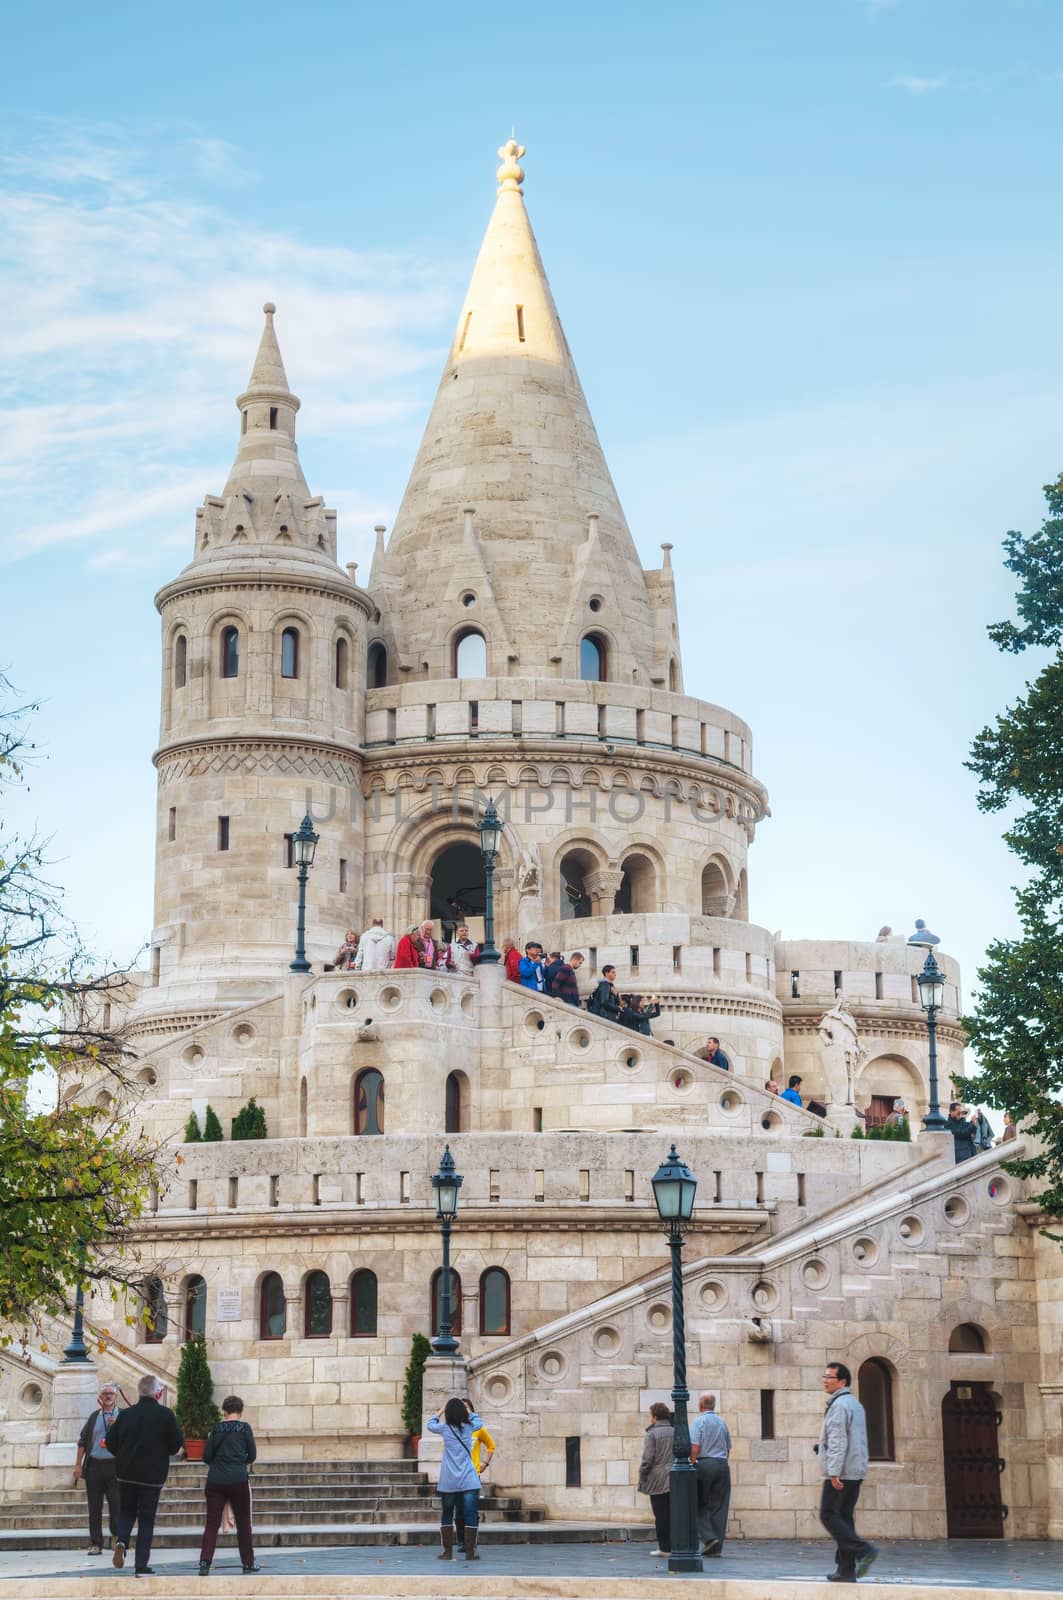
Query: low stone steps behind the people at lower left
(295, 1503)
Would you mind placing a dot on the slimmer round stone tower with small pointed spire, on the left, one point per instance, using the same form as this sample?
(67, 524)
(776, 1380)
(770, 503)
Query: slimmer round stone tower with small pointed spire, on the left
(263, 703)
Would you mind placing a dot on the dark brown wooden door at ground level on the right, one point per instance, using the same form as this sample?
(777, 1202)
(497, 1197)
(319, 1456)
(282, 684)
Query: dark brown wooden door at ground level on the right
(973, 1465)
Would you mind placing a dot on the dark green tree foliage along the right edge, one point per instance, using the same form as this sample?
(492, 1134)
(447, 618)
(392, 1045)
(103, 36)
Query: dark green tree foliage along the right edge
(1017, 1025)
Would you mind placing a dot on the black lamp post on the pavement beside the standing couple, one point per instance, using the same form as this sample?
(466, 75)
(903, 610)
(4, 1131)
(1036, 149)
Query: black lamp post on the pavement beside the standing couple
(675, 1188)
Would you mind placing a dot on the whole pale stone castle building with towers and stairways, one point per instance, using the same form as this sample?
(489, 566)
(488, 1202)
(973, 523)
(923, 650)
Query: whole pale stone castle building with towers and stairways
(289, 687)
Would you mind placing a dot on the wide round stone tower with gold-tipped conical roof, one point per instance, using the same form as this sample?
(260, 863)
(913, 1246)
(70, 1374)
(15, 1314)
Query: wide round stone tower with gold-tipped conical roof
(521, 650)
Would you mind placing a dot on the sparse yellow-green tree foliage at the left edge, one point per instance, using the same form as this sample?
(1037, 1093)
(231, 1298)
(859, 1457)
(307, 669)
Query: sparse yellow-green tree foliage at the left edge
(74, 1175)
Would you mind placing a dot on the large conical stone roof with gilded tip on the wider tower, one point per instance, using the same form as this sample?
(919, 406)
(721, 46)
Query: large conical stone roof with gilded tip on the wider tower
(511, 439)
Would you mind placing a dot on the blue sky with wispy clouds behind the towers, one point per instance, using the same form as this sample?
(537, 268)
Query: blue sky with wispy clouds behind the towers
(809, 262)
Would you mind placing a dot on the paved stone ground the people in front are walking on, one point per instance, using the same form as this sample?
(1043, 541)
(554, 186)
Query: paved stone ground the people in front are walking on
(982, 1564)
